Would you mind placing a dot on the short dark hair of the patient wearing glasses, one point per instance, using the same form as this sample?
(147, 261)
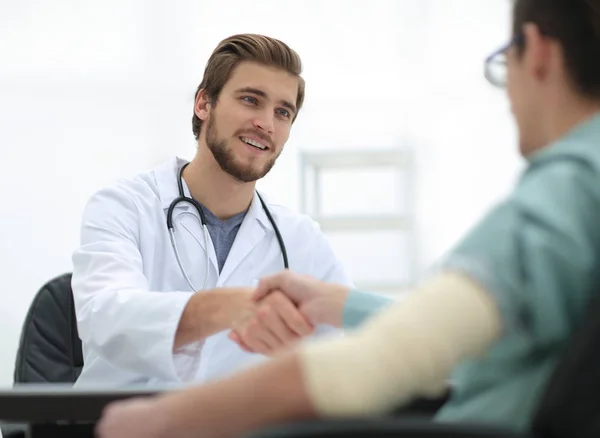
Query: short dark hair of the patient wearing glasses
(575, 24)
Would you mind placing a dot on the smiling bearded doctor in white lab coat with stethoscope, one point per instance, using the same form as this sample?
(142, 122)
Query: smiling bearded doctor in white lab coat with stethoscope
(156, 293)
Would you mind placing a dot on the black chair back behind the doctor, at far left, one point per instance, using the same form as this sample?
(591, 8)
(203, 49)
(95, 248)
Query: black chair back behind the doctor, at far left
(49, 348)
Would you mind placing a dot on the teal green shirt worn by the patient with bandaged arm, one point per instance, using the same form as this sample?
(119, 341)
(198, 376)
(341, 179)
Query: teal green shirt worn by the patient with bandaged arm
(538, 253)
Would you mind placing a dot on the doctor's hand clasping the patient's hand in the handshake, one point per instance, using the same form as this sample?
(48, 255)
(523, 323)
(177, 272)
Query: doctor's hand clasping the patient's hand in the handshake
(274, 325)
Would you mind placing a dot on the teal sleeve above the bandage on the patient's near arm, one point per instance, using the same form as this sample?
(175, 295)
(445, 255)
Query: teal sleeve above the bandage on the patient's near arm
(537, 252)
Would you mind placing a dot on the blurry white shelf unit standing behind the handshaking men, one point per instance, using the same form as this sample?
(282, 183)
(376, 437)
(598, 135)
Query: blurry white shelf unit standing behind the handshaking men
(373, 239)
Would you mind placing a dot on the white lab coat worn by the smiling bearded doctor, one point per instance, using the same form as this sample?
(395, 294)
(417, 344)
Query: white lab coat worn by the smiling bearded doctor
(130, 293)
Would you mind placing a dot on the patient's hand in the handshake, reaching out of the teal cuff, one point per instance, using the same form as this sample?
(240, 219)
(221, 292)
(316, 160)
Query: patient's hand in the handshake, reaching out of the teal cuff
(320, 302)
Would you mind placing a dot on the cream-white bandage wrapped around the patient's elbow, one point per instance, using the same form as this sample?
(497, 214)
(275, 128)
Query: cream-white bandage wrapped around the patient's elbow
(407, 351)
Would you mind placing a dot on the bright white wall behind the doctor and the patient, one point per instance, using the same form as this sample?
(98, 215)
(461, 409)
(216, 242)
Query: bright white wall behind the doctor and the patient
(90, 91)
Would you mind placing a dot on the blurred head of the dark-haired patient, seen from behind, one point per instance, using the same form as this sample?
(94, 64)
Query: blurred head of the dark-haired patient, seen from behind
(552, 67)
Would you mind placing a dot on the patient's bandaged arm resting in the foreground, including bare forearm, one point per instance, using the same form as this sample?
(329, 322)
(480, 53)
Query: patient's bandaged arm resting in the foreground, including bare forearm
(406, 351)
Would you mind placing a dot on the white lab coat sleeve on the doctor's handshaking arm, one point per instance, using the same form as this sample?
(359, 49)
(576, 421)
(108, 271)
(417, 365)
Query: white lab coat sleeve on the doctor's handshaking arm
(118, 316)
